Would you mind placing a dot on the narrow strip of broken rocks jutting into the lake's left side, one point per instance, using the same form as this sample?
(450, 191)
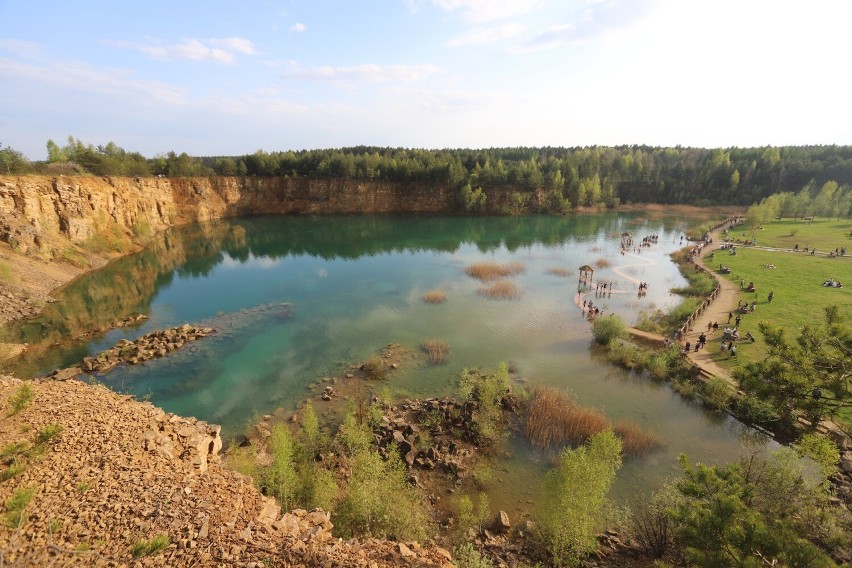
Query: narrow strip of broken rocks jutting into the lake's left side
(150, 346)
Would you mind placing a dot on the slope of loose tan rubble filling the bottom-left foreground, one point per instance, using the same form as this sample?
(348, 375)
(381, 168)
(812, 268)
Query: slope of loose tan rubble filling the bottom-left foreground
(121, 472)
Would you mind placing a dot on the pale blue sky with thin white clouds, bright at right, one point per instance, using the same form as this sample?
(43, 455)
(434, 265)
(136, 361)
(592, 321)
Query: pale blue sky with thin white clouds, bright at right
(228, 78)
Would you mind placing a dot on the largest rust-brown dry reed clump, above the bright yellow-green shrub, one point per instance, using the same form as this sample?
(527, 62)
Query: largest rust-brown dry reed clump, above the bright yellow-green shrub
(554, 420)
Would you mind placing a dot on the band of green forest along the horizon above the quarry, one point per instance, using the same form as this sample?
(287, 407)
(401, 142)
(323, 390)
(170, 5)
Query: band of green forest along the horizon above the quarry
(562, 178)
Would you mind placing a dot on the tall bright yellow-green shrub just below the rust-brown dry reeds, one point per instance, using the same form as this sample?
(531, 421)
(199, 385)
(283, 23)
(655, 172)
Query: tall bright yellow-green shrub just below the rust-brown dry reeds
(577, 486)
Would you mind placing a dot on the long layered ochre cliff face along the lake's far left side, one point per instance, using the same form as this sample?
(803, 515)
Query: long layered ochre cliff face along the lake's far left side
(33, 209)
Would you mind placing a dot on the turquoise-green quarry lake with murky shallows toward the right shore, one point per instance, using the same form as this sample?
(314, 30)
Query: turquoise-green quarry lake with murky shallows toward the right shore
(353, 285)
